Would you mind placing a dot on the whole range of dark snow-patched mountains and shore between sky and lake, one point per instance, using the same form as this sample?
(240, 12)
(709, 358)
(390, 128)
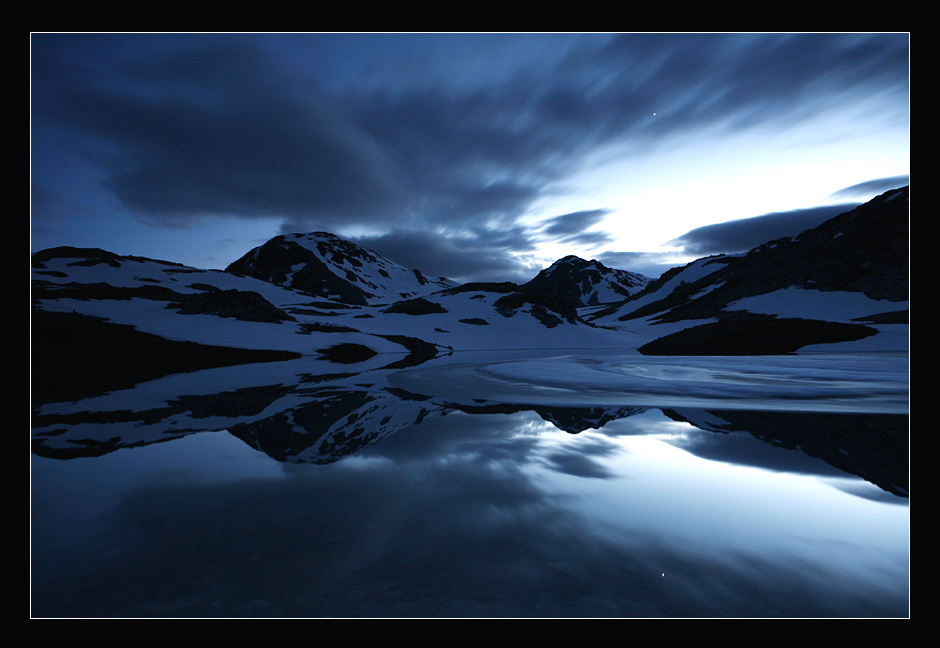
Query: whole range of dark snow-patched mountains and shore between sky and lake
(102, 321)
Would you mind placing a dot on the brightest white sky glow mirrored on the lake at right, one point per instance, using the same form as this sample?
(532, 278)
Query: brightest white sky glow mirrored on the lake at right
(654, 479)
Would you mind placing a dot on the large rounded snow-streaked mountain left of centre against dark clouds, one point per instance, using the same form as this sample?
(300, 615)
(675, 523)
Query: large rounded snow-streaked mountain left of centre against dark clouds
(323, 265)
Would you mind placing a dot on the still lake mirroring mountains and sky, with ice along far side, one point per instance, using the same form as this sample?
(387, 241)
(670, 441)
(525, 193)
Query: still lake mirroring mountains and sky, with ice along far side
(277, 491)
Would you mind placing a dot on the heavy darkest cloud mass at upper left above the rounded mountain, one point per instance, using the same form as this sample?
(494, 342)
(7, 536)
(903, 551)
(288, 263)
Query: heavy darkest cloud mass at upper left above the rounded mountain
(215, 131)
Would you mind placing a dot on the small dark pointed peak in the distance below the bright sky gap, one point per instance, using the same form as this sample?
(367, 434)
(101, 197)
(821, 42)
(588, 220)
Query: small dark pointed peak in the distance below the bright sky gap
(587, 283)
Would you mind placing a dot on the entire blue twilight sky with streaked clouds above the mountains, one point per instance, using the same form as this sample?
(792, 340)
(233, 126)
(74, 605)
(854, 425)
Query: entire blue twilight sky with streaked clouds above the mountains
(474, 156)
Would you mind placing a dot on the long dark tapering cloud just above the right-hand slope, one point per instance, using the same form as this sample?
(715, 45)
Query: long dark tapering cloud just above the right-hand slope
(745, 234)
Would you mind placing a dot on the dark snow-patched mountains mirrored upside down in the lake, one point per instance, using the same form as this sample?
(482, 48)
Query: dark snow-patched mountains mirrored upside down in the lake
(295, 416)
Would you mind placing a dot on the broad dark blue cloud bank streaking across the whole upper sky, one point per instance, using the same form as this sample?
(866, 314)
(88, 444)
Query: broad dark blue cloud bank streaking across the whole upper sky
(215, 125)
